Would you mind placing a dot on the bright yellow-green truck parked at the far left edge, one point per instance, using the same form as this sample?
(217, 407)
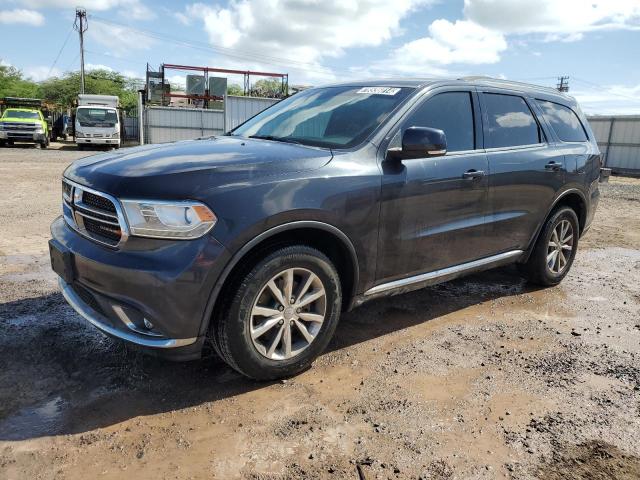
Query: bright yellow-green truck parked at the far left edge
(23, 121)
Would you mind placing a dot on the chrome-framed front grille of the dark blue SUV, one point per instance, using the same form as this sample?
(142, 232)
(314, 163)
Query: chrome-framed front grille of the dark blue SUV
(93, 214)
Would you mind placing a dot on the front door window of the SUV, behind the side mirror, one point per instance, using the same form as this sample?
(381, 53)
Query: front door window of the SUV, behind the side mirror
(451, 112)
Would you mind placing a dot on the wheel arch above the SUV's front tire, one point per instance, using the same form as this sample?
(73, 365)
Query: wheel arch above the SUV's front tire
(325, 237)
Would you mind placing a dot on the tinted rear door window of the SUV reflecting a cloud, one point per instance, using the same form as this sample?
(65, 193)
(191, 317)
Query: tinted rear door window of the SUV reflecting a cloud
(510, 122)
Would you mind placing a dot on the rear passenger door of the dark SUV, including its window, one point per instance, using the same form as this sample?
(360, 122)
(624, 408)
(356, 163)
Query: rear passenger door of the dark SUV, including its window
(525, 169)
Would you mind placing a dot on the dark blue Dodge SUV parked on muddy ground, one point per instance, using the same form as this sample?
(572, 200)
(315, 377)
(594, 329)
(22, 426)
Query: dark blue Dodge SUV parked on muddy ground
(255, 241)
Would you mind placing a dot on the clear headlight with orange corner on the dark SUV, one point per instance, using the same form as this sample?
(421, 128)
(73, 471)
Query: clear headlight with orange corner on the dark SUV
(161, 219)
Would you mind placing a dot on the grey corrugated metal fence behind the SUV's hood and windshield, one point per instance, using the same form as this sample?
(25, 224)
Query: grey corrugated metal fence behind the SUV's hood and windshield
(169, 124)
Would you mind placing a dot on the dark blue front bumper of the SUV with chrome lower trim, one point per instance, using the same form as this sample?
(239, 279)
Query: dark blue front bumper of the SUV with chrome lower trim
(166, 283)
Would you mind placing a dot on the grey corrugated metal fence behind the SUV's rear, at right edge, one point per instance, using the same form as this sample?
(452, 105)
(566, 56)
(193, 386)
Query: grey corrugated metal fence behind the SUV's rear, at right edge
(619, 140)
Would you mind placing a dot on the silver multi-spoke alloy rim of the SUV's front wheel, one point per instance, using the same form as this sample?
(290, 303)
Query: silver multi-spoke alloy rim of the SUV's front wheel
(288, 313)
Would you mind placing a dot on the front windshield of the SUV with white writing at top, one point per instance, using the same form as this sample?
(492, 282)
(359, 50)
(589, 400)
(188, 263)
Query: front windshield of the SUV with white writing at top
(333, 117)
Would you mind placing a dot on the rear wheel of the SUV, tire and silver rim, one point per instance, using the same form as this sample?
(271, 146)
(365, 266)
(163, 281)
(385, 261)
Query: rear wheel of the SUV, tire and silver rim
(555, 249)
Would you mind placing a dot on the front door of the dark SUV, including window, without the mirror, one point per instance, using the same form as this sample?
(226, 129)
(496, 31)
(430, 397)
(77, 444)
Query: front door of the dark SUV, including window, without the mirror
(432, 209)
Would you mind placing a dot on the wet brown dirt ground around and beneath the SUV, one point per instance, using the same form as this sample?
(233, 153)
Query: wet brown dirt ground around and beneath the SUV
(484, 377)
